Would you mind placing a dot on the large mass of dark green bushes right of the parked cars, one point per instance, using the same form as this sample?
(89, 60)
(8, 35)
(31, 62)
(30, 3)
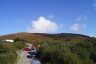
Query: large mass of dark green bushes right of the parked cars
(68, 52)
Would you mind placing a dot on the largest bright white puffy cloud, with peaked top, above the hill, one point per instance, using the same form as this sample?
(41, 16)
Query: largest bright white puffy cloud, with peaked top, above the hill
(43, 25)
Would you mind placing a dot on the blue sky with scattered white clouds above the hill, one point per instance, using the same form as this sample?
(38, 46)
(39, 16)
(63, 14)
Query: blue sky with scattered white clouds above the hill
(48, 16)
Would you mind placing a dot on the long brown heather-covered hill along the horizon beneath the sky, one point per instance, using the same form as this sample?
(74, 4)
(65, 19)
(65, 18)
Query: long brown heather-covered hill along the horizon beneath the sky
(39, 38)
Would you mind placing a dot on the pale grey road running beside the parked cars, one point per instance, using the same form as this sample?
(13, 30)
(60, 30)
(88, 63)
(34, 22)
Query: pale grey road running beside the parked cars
(23, 56)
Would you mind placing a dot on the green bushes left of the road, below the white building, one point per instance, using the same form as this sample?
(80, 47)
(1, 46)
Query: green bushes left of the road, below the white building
(8, 50)
